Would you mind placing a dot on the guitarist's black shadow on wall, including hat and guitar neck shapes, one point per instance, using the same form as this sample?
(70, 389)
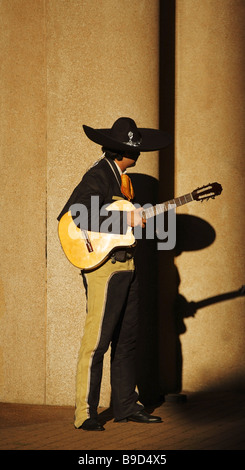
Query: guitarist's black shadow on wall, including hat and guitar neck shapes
(162, 308)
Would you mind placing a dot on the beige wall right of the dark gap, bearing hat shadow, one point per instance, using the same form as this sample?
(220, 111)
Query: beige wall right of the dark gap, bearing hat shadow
(210, 142)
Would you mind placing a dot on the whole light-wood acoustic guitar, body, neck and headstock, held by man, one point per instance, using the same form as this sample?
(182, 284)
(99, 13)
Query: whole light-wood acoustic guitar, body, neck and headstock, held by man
(87, 250)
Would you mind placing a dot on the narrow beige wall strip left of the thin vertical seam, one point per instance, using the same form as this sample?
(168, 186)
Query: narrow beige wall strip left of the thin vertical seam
(23, 201)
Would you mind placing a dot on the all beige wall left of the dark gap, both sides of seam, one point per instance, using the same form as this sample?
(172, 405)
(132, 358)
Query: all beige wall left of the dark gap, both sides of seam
(65, 63)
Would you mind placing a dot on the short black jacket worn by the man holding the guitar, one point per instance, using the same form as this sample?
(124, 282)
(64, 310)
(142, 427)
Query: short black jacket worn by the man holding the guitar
(102, 181)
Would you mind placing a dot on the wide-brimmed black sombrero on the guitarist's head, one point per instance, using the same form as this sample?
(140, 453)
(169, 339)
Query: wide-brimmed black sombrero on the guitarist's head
(124, 135)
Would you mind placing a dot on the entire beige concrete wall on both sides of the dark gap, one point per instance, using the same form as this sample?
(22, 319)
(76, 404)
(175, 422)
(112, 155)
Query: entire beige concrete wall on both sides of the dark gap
(71, 62)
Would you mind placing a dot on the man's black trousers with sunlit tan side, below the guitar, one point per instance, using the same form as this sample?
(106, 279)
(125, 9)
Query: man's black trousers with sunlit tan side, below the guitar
(112, 319)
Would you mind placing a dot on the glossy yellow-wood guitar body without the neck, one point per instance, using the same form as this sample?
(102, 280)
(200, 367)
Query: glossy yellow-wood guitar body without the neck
(88, 250)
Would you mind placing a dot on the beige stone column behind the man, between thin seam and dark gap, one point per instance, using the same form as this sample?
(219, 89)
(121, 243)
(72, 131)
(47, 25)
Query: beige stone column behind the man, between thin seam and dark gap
(102, 63)
